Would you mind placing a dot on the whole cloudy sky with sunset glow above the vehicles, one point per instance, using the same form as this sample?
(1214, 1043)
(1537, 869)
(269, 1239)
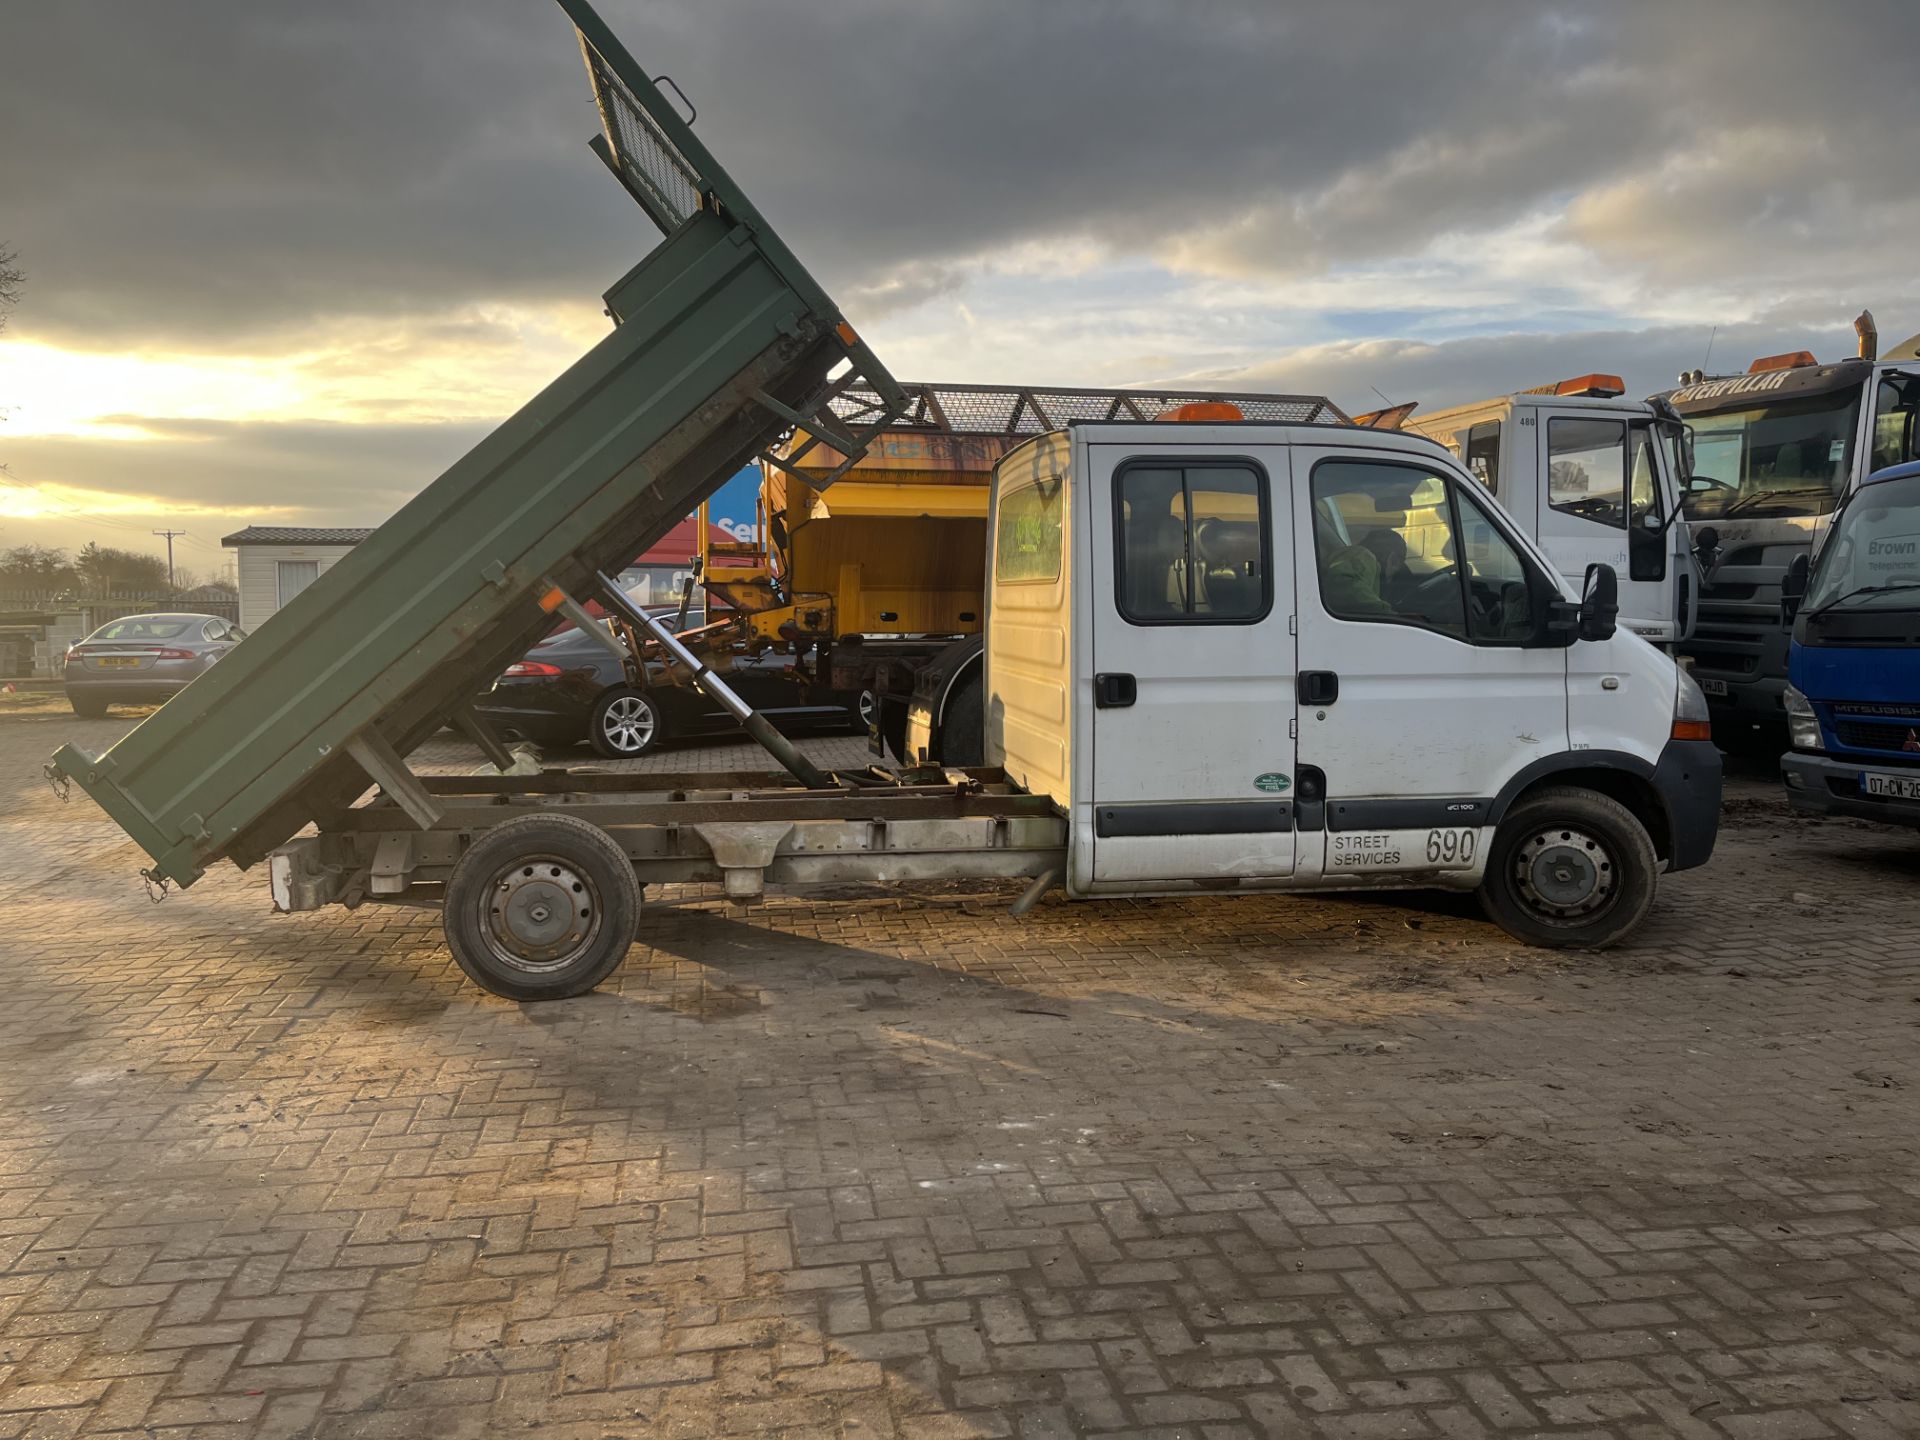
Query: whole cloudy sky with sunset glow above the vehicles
(285, 262)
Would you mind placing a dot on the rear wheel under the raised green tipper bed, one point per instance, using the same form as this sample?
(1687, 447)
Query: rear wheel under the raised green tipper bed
(542, 907)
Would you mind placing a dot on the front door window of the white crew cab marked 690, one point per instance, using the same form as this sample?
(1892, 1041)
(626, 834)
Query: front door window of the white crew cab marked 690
(1399, 544)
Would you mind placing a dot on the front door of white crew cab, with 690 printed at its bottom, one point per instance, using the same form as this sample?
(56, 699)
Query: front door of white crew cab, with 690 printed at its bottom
(1418, 696)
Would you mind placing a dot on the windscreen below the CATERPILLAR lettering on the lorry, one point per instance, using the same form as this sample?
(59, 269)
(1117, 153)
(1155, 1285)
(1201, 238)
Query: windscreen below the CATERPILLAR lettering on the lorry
(1777, 458)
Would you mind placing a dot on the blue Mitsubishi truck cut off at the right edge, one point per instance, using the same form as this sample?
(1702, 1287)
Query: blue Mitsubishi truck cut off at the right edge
(1854, 675)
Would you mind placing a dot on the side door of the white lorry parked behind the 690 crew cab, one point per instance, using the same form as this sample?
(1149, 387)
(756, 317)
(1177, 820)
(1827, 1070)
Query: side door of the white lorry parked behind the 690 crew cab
(1604, 500)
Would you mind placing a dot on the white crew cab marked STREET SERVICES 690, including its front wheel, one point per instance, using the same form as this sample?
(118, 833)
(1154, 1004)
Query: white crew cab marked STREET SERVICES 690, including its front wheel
(1284, 658)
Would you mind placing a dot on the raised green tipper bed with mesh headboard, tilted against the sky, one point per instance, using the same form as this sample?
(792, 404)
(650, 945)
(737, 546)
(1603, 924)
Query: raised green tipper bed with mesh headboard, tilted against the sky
(721, 343)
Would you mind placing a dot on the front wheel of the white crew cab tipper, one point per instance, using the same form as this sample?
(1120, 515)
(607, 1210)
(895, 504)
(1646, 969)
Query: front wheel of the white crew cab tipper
(1570, 871)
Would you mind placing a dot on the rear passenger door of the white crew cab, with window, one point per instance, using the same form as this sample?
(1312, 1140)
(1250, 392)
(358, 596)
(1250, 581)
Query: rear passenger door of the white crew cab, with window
(1193, 665)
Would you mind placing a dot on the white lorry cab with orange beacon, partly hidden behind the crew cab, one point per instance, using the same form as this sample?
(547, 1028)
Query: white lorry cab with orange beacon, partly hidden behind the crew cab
(1595, 479)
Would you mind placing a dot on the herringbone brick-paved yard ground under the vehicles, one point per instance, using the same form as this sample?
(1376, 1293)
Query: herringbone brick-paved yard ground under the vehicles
(876, 1166)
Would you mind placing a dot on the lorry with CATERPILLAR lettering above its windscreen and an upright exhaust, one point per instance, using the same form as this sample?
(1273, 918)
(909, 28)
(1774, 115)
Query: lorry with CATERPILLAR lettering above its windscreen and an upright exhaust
(1769, 458)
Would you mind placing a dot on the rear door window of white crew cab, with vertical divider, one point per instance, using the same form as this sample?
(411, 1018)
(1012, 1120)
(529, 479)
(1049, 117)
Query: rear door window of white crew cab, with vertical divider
(1193, 544)
